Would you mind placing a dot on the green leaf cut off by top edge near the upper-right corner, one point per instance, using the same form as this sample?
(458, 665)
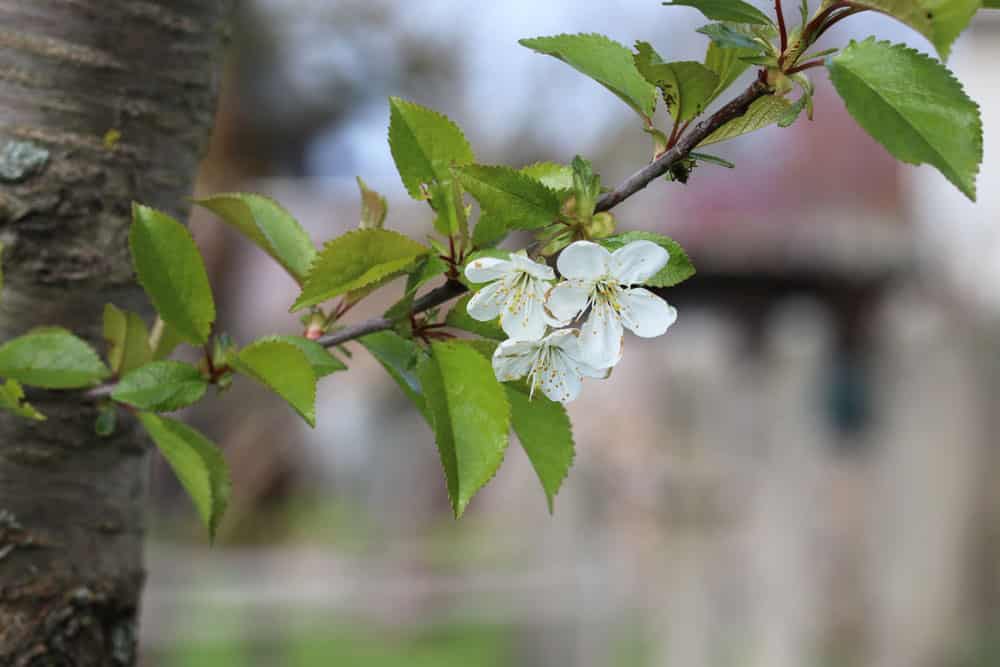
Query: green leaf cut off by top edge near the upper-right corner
(940, 21)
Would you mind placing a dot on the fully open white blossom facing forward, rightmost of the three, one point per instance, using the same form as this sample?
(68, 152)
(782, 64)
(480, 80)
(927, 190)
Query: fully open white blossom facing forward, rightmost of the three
(602, 280)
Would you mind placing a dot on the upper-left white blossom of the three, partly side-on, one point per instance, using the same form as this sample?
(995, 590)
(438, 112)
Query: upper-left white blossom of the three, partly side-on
(516, 293)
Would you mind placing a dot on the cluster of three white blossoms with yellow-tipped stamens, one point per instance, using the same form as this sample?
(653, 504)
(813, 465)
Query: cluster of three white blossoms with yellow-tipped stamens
(598, 291)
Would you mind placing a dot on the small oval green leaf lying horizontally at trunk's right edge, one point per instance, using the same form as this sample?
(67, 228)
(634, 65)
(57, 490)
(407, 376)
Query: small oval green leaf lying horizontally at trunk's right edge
(162, 386)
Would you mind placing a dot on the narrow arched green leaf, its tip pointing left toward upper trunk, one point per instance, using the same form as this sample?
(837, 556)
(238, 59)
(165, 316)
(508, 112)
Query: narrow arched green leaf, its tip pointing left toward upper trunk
(267, 224)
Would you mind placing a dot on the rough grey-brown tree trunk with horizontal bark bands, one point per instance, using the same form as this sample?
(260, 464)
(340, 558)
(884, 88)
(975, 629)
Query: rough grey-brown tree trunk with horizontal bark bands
(73, 75)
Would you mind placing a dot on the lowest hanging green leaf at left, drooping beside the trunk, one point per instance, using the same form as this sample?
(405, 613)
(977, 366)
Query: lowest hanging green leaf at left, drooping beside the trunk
(198, 464)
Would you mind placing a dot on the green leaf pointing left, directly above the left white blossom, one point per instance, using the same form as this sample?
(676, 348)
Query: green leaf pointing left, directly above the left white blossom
(519, 200)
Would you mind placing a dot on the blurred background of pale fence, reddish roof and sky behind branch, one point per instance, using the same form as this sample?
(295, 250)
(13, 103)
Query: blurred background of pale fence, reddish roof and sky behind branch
(800, 473)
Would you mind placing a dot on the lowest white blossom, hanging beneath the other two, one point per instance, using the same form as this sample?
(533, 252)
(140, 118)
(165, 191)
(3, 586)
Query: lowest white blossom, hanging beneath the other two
(554, 363)
